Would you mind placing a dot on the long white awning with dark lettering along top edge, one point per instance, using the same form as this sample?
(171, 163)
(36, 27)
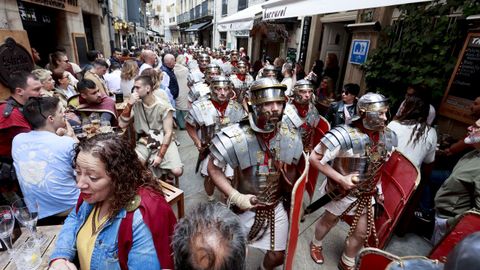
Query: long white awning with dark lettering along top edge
(280, 9)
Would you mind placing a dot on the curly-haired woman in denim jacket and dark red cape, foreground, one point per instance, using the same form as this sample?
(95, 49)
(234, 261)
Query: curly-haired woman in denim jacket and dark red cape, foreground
(122, 220)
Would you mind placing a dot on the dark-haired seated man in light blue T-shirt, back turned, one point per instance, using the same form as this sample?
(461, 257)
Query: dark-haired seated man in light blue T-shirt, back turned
(43, 160)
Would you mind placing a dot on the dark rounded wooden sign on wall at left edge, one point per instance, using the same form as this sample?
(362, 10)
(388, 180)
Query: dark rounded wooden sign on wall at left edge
(13, 58)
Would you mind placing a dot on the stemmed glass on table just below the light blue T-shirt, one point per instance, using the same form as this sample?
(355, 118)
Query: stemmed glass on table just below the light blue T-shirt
(26, 212)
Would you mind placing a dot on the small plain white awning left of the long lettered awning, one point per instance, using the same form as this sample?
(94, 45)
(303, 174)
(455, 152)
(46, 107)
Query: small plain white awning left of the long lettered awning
(242, 20)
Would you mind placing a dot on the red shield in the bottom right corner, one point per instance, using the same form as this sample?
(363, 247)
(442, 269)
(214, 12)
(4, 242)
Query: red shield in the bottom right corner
(468, 223)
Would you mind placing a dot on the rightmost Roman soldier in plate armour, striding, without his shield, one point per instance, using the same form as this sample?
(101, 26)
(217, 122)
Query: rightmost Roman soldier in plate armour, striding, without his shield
(356, 153)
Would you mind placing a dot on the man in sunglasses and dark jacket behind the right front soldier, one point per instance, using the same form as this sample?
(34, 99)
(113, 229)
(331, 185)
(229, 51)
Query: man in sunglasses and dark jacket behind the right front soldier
(344, 111)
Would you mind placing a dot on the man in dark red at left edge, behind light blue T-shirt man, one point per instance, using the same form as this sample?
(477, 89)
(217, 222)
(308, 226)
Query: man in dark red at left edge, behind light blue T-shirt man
(23, 85)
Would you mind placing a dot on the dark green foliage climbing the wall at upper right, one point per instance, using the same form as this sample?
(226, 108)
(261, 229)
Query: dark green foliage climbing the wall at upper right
(423, 52)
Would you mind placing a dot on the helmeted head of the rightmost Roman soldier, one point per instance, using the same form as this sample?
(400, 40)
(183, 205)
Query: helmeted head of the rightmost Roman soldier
(369, 107)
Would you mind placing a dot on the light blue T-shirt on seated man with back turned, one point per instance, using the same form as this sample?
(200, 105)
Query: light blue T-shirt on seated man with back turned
(43, 163)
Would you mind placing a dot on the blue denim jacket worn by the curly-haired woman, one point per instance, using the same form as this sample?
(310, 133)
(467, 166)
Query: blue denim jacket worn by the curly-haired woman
(105, 253)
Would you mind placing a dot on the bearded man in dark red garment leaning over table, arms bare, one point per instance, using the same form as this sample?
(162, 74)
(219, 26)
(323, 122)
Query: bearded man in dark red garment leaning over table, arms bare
(90, 100)
